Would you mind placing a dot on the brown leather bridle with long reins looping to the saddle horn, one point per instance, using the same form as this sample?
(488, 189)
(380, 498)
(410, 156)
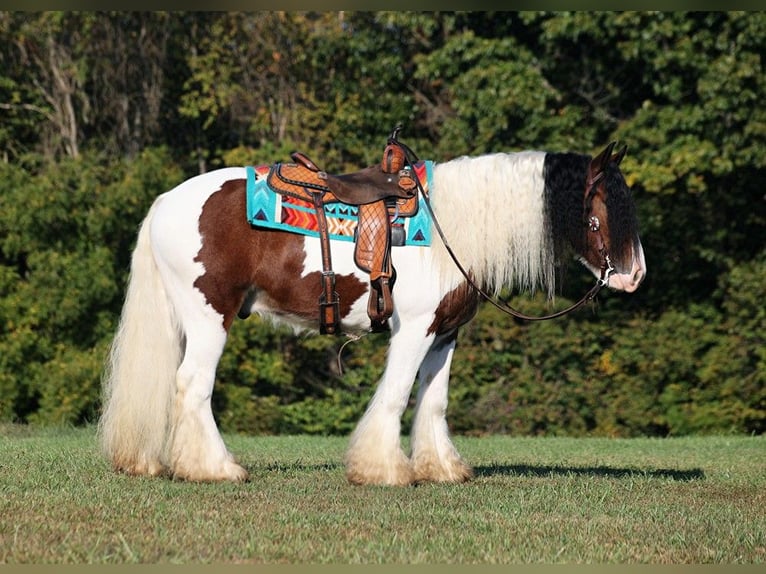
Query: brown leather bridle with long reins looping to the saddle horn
(591, 221)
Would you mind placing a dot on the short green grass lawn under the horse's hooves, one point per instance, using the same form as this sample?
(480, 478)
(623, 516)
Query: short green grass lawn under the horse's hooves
(551, 500)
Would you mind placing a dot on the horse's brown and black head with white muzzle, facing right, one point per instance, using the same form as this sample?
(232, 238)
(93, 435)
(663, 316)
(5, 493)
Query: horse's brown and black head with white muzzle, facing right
(612, 249)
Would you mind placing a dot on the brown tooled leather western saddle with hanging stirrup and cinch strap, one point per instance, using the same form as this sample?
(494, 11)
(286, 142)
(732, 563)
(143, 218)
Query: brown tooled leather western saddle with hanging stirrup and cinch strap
(381, 193)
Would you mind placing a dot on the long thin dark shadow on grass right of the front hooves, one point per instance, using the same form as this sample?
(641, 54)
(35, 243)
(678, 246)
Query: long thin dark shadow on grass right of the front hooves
(602, 471)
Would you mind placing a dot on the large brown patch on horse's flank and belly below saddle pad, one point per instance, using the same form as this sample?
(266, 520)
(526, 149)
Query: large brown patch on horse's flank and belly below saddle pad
(240, 260)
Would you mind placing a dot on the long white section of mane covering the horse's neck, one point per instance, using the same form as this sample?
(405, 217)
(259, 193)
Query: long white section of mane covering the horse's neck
(492, 211)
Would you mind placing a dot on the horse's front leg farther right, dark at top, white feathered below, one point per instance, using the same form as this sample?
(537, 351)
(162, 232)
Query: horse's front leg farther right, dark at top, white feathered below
(434, 457)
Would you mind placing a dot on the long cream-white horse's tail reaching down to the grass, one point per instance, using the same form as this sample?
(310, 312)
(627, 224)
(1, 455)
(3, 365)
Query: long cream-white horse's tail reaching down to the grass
(139, 379)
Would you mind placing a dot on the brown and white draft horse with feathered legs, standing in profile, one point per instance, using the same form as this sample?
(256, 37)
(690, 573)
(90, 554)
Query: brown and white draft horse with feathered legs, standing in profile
(508, 219)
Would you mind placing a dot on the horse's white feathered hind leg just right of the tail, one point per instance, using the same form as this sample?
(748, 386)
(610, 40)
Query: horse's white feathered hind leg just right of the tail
(197, 450)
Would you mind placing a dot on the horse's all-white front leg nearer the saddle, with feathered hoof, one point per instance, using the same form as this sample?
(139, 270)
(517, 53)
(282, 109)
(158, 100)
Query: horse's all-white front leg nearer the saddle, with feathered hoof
(375, 454)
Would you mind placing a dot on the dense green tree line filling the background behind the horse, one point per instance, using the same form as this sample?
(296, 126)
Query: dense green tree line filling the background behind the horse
(103, 111)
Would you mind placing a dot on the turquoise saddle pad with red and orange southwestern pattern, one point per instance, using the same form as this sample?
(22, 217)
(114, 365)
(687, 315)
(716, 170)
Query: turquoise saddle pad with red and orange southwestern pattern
(271, 210)
